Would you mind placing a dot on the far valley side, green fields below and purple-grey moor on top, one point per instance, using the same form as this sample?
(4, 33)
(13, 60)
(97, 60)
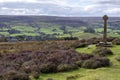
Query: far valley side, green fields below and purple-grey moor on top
(53, 27)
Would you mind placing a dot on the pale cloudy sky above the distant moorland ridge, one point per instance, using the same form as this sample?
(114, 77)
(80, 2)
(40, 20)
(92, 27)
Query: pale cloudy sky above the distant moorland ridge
(78, 8)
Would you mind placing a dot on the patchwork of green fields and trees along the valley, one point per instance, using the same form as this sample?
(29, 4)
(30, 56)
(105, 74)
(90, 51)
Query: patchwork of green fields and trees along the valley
(56, 31)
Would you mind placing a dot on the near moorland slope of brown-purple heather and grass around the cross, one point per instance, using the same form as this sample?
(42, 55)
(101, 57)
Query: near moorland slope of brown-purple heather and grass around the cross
(58, 60)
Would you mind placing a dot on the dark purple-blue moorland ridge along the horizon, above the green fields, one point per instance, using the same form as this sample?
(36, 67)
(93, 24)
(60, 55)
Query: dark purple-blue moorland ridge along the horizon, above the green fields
(71, 21)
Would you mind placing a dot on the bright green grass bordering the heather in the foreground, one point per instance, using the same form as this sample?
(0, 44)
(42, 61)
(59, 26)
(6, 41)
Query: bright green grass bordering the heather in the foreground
(106, 73)
